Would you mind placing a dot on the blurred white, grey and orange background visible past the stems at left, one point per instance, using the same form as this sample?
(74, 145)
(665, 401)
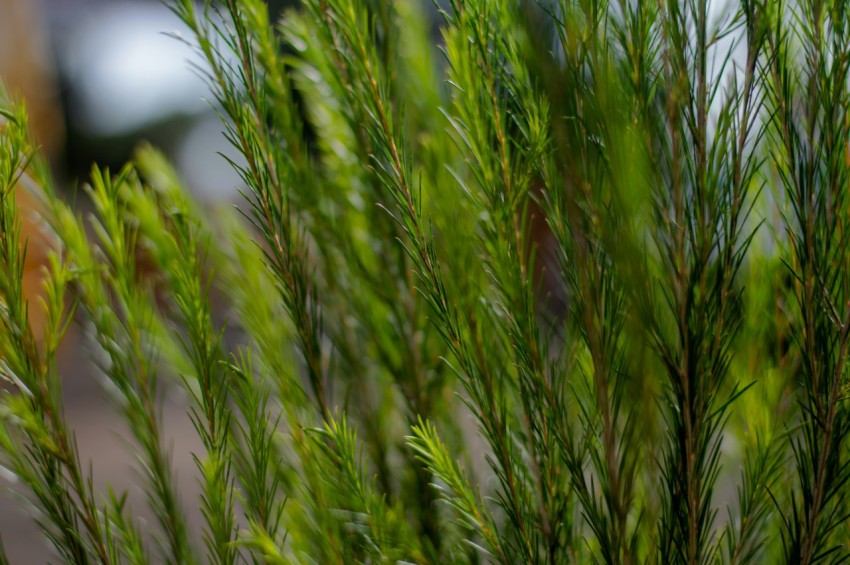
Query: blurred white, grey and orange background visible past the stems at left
(98, 77)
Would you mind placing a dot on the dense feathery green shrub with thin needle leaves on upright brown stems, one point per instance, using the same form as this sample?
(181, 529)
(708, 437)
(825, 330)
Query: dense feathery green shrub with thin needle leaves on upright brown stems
(606, 238)
